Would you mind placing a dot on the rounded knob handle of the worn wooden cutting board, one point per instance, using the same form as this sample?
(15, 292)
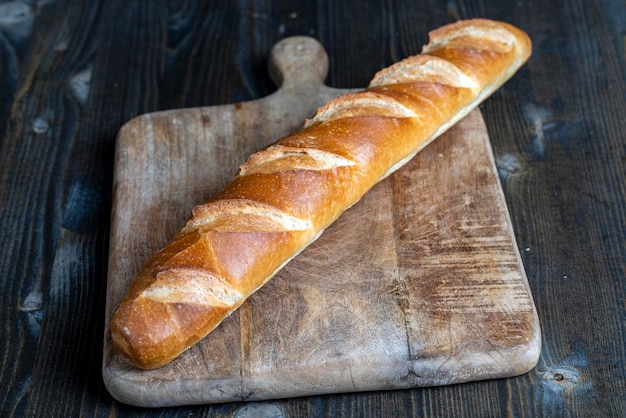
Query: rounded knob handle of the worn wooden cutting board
(298, 61)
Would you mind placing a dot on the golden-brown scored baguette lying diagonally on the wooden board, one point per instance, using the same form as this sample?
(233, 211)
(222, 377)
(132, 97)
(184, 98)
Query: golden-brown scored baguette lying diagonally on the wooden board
(285, 195)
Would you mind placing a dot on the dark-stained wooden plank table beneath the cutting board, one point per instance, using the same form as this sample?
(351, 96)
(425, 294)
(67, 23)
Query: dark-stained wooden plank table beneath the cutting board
(72, 72)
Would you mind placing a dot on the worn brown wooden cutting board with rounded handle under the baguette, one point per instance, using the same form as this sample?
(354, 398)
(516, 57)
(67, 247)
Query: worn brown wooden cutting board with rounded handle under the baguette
(418, 284)
